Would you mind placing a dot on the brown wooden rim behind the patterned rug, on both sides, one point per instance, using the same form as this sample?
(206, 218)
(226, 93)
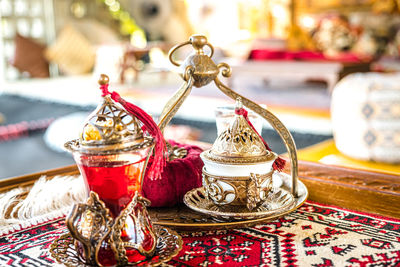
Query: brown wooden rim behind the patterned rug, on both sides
(353, 189)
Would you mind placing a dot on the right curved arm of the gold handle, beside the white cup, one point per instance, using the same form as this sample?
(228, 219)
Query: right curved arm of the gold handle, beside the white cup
(275, 122)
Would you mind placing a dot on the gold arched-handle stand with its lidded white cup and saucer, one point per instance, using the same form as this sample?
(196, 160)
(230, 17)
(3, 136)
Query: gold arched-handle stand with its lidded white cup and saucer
(235, 148)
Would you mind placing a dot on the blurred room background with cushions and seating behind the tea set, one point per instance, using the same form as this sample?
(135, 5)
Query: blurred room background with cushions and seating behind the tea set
(327, 69)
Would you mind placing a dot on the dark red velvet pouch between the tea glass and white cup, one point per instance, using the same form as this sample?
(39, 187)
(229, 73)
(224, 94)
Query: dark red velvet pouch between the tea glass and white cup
(178, 177)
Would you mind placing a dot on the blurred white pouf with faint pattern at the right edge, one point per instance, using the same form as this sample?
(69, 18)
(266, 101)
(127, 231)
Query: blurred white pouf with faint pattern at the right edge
(366, 116)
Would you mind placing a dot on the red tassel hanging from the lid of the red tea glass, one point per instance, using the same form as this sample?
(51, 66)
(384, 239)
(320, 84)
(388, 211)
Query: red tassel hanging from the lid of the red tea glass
(159, 160)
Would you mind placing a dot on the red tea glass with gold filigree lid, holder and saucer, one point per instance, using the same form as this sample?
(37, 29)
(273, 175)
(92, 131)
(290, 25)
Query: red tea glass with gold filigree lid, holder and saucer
(113, 227)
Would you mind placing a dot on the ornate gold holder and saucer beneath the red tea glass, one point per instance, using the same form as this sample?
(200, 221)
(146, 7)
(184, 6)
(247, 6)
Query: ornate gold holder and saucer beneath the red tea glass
(92, 228)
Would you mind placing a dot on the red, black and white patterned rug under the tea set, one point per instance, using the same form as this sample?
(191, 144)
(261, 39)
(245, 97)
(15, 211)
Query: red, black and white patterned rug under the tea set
(315, 235)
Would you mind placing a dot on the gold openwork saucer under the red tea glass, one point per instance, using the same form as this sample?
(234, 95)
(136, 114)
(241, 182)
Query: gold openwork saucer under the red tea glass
(168, 246)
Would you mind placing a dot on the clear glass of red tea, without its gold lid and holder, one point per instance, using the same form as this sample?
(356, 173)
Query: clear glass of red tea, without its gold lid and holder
(116, 178)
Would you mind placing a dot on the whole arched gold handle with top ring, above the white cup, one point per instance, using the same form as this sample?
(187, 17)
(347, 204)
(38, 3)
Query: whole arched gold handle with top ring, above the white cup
(198, 70)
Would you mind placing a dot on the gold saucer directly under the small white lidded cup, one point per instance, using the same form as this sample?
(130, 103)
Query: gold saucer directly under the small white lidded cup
(278, 201)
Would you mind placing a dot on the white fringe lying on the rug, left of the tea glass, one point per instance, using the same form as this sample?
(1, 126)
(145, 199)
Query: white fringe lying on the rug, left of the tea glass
(45, 200)
